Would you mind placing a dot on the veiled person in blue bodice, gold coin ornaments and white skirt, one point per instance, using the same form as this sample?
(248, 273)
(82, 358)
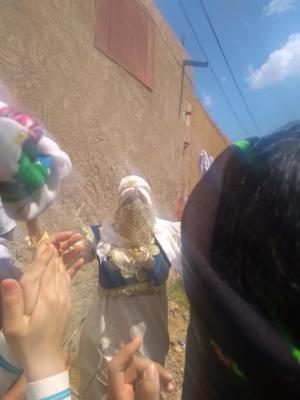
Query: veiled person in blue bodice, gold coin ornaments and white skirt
(135, 252)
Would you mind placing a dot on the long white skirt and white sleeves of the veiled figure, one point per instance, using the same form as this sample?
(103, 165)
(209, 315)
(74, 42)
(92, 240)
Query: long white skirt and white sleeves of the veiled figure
(114, 321)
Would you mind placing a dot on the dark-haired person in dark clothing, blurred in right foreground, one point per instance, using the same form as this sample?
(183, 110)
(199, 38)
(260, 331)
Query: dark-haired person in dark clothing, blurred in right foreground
(241, 251)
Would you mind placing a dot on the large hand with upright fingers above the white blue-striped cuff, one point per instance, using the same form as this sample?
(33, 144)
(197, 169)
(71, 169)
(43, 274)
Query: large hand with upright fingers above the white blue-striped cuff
(37, 339)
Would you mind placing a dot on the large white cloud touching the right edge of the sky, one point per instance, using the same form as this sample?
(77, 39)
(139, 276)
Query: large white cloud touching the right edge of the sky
(280, 65)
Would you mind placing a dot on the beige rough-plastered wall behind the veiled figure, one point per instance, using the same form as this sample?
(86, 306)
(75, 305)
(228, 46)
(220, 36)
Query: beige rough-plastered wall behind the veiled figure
(108, 122)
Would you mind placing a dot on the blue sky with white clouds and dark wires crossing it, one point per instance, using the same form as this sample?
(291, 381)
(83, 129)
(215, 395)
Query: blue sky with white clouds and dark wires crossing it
(261, 39)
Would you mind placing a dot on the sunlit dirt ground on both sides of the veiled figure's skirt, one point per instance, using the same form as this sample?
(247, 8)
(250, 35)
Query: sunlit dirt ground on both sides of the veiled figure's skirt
(178, 320)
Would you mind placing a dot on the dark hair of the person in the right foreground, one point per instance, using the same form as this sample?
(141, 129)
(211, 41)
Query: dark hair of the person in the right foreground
(256, 239)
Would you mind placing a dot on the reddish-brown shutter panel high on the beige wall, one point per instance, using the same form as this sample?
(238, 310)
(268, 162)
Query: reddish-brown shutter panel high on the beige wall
(125, 33)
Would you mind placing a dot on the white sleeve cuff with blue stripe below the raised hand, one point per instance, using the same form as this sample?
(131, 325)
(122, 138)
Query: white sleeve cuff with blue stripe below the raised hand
(55, 387)
